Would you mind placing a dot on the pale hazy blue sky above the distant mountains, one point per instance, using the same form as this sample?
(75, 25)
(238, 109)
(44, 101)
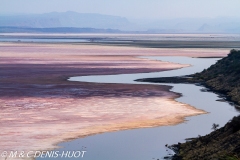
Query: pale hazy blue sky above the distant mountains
(129, 8)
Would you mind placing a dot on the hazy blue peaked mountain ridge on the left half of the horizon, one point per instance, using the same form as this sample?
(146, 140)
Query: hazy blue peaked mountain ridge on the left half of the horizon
(65, 19)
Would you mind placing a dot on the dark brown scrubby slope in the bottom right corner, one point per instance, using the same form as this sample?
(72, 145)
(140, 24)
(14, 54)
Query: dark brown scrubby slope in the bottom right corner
(222, 144)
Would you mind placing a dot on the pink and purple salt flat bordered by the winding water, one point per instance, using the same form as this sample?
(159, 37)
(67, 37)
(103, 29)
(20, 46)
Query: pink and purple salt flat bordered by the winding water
(40, 108)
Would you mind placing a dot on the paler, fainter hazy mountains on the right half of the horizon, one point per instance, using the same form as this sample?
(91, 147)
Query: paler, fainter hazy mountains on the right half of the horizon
(193, 25)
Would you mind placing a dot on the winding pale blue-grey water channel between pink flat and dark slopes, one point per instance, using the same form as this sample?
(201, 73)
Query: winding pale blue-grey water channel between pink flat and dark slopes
(149, 143)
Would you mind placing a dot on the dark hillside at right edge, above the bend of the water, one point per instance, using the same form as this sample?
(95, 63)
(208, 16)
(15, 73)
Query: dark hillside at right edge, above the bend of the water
(224, 76)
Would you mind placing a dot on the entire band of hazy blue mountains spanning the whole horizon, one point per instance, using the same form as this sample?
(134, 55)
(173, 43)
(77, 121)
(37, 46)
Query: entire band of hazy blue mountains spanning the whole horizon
(98, 21)
